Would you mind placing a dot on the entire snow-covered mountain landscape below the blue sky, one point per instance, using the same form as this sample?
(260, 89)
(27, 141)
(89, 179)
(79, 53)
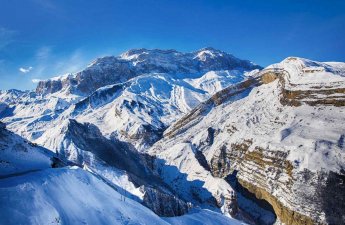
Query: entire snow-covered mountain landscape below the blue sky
(164, 137)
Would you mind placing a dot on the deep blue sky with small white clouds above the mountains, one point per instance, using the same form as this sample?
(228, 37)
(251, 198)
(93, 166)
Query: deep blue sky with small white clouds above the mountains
(45, 38)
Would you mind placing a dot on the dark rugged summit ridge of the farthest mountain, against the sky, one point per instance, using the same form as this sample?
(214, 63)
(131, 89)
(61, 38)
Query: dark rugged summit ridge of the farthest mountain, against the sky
(110, 70)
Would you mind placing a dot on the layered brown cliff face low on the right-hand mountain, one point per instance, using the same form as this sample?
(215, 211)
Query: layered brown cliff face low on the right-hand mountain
(270, 167)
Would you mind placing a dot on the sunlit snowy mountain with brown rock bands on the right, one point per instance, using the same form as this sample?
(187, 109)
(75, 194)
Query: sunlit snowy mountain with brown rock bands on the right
(268, 135)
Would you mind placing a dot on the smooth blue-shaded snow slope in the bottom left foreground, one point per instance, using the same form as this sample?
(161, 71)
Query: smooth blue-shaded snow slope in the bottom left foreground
(73, 196)
